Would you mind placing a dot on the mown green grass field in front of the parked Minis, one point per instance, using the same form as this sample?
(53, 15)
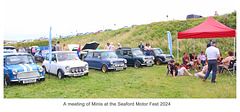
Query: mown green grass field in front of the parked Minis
(146, 82)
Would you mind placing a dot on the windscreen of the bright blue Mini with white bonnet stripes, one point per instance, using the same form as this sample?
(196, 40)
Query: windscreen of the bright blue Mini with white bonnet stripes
(21, 59)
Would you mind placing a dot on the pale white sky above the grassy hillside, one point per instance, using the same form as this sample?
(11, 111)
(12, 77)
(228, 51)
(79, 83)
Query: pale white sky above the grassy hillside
(31, 19)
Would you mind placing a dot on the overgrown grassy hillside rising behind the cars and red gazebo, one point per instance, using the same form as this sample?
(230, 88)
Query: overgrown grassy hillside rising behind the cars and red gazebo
(156, 34)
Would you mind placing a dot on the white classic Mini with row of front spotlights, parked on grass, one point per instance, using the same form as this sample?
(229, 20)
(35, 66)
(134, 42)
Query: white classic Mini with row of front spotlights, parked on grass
(65, 63)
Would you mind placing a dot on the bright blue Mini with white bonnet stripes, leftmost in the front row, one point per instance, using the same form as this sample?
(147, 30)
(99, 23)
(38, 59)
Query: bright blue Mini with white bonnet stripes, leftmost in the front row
(20, 67)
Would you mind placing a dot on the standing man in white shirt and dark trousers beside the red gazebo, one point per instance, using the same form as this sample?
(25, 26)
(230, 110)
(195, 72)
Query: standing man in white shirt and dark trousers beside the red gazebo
(212, 53)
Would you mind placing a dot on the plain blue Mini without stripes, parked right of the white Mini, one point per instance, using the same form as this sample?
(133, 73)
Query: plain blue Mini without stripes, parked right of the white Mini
(105, 60)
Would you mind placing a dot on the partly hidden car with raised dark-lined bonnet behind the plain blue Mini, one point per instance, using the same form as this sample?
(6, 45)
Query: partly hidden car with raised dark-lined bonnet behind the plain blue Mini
(86, 48)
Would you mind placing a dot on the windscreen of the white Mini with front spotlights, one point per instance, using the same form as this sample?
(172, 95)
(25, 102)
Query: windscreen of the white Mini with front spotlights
(67, 56)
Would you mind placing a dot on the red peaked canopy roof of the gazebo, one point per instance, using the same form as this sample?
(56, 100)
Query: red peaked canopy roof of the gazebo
(210, 28)
